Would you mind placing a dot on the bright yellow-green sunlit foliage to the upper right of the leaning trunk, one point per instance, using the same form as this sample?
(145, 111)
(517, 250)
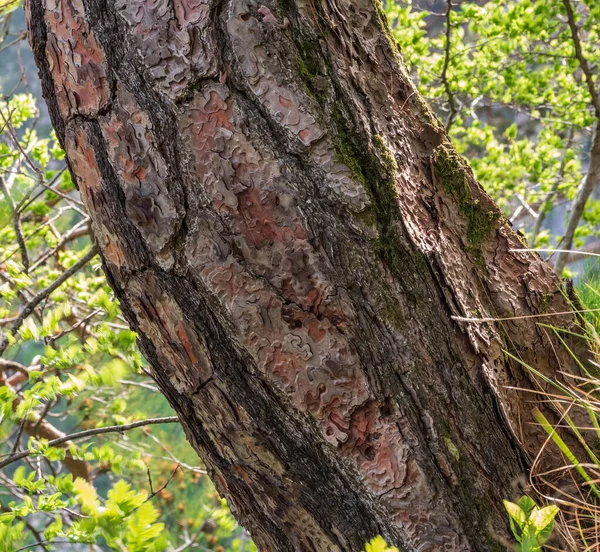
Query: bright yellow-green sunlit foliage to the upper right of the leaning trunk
(518, 89)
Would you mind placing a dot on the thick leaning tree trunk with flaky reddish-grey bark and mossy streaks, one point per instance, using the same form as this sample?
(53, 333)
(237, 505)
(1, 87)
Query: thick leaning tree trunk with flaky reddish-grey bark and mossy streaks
(288, 228)
